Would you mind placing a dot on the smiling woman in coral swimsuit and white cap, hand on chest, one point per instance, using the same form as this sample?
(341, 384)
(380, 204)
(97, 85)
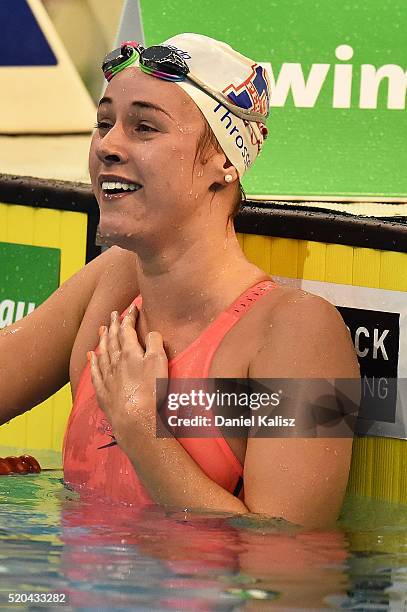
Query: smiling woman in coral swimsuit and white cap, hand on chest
(165, 163)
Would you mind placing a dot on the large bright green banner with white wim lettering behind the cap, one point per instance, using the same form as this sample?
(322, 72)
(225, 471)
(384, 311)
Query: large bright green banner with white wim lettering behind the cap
(338, 123)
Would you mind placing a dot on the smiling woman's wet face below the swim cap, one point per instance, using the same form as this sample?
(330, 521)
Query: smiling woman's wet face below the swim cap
(146, 146)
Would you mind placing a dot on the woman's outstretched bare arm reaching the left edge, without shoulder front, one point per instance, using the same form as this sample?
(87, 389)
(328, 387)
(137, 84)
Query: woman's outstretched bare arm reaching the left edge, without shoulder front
(35, 351)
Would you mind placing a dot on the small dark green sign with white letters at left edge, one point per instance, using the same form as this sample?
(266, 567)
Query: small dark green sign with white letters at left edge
(28, 275)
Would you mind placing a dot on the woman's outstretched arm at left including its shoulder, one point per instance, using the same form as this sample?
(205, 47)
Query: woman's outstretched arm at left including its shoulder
(45, 346)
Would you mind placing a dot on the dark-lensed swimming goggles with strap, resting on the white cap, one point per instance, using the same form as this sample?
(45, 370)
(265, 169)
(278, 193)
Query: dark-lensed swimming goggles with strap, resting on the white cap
(167, 63)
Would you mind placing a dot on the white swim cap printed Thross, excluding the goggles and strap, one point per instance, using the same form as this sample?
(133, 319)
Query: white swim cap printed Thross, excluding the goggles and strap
(243, 81)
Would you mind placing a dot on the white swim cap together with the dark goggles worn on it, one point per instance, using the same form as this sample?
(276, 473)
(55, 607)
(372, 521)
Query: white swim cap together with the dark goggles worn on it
(231, 90)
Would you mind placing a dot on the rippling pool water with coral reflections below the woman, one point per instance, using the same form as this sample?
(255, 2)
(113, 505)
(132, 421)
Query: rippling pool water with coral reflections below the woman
(111, 557)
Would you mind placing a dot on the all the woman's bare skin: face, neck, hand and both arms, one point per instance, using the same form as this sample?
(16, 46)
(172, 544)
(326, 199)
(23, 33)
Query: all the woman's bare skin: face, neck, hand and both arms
(179, 252)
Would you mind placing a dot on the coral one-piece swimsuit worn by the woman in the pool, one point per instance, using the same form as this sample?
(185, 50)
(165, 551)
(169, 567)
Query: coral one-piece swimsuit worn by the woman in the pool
(92, 464)
